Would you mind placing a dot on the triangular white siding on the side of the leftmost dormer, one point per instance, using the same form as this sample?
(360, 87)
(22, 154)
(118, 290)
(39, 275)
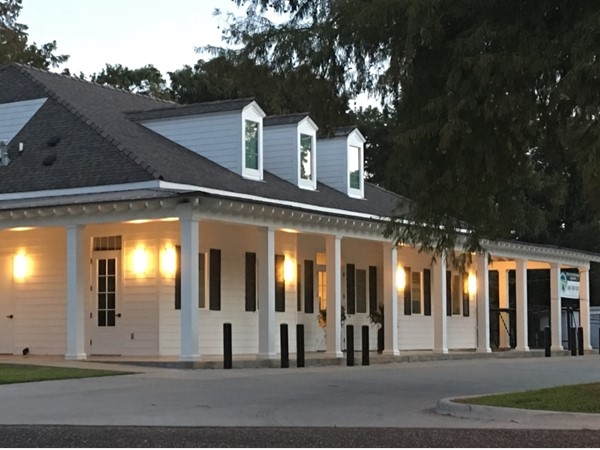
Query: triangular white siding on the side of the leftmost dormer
(218, 137)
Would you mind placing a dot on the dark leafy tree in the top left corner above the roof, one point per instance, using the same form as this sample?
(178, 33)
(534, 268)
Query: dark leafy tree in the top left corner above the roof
(13, 41)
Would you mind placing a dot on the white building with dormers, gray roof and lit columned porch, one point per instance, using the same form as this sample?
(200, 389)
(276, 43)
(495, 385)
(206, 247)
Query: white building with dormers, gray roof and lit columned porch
(132, 226)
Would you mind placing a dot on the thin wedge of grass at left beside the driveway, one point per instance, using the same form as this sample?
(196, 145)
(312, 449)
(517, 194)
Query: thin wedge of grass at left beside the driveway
(23, 373)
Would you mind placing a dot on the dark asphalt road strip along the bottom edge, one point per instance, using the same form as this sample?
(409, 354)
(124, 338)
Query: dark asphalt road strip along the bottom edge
(147, 437)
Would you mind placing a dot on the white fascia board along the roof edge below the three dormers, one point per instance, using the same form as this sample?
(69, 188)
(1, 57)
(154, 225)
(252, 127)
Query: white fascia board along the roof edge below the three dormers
(235, 195)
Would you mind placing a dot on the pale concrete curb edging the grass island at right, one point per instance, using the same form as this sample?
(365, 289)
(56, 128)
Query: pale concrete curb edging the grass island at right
(533, 418)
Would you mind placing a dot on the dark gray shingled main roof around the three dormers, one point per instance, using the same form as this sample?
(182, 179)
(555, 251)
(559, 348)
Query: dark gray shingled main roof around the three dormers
(101, 145)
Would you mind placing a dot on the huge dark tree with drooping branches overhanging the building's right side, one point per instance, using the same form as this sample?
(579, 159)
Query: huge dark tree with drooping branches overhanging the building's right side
(493, 106)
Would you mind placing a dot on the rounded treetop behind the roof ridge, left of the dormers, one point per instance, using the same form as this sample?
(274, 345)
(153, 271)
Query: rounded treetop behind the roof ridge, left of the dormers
(146, 80)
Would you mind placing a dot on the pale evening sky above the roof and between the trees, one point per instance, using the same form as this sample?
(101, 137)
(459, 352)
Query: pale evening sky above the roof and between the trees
(133, 33)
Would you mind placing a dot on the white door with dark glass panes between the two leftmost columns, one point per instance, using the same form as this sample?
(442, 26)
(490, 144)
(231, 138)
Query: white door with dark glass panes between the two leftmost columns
(105, 315)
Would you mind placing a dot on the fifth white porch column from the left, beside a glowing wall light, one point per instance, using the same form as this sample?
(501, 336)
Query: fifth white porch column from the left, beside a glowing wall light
(390, 299)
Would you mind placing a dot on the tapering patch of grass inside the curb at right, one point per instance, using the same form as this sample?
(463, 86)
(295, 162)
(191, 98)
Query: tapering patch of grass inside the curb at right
(583, 398)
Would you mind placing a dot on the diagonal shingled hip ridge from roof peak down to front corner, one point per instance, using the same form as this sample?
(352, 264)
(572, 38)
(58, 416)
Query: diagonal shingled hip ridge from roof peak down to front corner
(89, 122)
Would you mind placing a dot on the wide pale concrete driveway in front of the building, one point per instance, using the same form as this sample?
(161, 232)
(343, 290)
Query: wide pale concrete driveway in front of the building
(385, 395)
